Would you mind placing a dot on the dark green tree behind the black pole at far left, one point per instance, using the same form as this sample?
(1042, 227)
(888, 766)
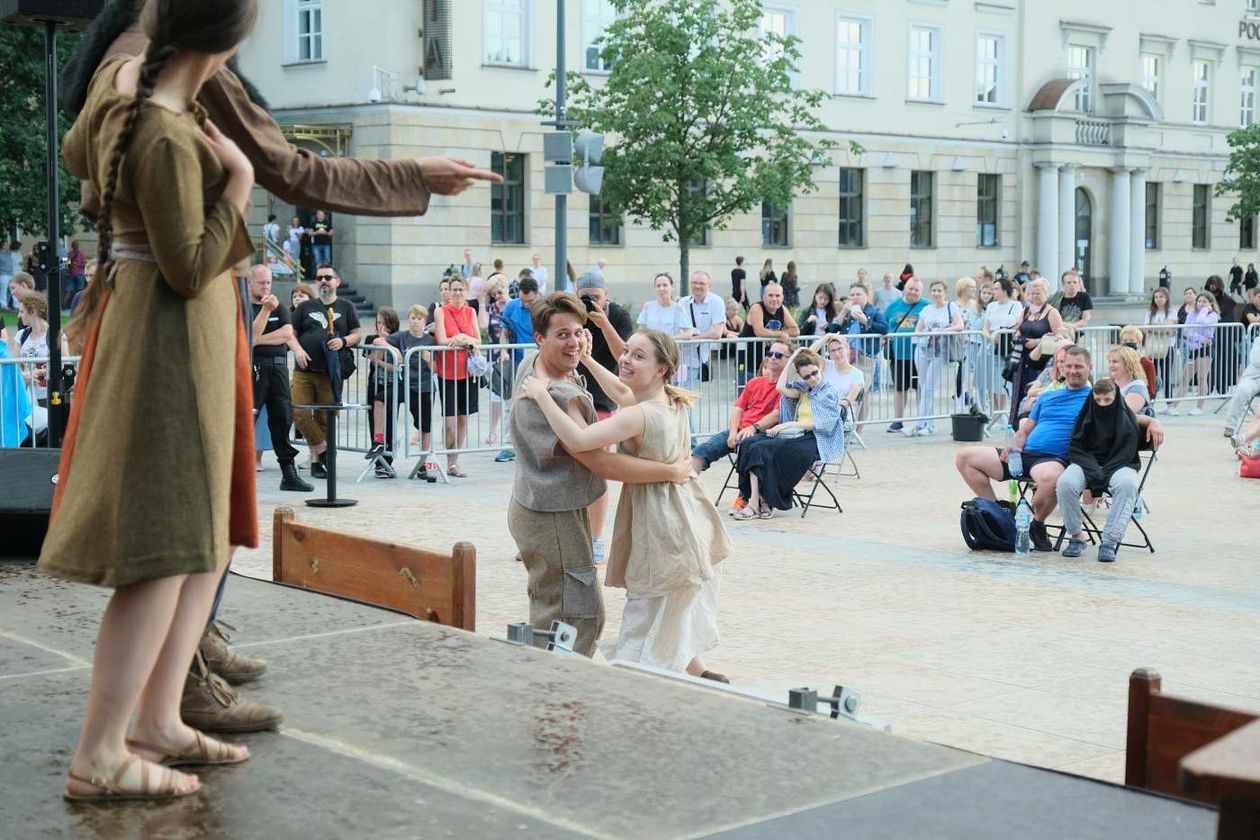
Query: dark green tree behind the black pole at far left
(23, 156)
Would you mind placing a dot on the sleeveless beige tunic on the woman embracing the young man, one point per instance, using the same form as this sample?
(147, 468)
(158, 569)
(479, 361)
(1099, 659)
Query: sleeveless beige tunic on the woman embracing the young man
(667, 537)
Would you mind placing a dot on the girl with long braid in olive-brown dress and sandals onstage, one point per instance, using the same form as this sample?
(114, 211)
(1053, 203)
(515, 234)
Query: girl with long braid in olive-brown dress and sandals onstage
(164, 365)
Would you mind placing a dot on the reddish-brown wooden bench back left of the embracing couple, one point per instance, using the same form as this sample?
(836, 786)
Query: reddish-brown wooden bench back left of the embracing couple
(425, 585)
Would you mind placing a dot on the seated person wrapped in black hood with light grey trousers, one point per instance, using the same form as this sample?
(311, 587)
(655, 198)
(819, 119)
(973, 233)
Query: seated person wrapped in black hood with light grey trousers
(1103, 459)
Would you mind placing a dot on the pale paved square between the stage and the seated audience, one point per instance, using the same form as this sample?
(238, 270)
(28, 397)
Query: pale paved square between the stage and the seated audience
(1019, 659)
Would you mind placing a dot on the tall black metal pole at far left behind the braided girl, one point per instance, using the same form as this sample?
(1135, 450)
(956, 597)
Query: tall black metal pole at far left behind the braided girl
(55, 235)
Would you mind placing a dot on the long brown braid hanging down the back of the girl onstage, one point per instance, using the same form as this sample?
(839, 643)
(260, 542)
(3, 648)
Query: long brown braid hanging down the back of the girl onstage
(156, 60)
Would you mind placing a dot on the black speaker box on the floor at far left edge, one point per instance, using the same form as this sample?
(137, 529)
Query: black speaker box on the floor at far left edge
(28, 480)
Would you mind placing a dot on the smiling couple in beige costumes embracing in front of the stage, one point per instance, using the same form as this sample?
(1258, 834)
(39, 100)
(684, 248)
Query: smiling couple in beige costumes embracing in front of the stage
(668, 538)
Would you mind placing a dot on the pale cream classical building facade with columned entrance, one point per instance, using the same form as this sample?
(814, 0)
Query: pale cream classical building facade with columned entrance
(1064, 133)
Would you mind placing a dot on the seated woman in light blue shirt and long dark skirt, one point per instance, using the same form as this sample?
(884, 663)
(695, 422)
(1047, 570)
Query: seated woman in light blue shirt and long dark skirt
(810, 431)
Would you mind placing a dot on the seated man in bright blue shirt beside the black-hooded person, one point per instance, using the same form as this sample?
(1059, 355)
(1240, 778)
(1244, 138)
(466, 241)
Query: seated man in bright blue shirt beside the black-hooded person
(1044, 440)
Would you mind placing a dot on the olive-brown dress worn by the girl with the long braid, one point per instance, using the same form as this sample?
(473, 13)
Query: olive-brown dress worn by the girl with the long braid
(157, 477)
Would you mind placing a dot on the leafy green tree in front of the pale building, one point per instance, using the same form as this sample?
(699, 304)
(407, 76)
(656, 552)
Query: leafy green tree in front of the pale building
(702, 116)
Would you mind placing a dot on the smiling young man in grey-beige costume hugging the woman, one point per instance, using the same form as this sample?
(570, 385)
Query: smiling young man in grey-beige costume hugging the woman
(554, 487)
